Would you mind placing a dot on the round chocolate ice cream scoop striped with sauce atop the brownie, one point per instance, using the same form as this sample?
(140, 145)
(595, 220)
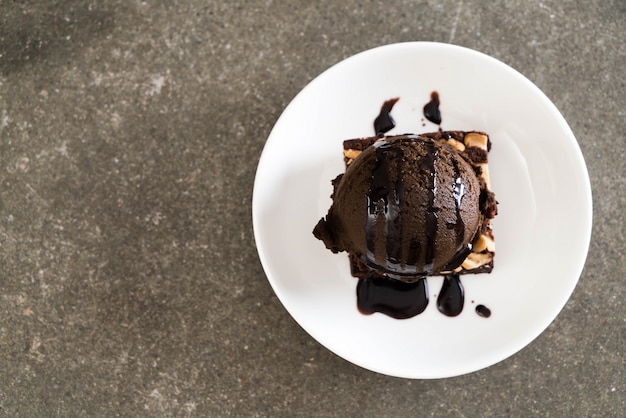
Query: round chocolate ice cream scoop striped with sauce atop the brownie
(407, 206)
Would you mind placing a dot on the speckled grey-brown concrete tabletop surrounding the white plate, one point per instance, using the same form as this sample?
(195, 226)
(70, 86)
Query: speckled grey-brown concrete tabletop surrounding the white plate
(129, 137)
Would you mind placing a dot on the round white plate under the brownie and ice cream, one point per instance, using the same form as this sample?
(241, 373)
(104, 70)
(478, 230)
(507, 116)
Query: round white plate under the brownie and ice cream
(538, 175)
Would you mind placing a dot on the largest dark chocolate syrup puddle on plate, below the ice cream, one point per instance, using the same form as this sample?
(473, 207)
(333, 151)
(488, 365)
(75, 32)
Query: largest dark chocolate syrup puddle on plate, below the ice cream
(397, 299)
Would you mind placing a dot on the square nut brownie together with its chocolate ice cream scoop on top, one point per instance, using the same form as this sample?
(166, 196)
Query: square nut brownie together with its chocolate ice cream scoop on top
(411, 206)
